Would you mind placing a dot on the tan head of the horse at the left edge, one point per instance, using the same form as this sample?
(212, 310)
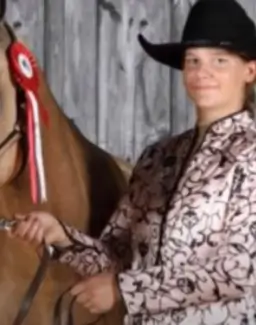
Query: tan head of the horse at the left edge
(11, 109)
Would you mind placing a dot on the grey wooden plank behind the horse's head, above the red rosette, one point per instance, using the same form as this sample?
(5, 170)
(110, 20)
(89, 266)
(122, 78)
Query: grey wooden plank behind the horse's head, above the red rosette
(28, 17)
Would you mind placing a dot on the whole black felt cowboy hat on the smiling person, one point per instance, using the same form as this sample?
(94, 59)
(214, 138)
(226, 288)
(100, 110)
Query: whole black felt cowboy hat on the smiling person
(211, 23)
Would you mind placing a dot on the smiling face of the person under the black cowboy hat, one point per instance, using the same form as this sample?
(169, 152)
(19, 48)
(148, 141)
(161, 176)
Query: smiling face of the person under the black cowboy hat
(216, 79)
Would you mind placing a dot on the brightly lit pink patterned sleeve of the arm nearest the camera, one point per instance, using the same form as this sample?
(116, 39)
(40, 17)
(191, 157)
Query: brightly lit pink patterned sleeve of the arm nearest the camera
(228, 275)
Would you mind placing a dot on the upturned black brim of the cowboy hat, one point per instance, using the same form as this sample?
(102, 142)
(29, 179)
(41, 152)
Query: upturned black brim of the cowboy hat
(172, 54)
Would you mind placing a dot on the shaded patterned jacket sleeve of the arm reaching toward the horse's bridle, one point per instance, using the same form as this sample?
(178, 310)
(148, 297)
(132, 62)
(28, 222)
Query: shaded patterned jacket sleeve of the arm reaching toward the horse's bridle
(89, 256)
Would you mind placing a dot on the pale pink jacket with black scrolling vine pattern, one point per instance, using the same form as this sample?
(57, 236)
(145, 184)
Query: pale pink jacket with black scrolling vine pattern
(184, 237)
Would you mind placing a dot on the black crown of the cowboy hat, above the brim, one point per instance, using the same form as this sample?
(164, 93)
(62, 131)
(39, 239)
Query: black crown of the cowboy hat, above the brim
(219, 20)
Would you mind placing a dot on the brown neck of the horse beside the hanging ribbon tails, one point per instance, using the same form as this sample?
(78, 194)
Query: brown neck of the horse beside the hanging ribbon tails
(67, 180)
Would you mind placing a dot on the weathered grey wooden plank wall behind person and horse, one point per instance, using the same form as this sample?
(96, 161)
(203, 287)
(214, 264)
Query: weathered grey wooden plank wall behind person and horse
(119, 98)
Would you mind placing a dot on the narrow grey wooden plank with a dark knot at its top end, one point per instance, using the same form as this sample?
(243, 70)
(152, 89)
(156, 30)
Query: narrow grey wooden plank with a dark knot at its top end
(109, 81)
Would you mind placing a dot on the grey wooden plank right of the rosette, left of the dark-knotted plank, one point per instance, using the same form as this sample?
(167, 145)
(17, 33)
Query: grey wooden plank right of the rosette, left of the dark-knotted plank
(80, 63)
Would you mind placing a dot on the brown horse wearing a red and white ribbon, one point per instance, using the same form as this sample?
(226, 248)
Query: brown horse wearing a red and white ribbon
(84, 184)
